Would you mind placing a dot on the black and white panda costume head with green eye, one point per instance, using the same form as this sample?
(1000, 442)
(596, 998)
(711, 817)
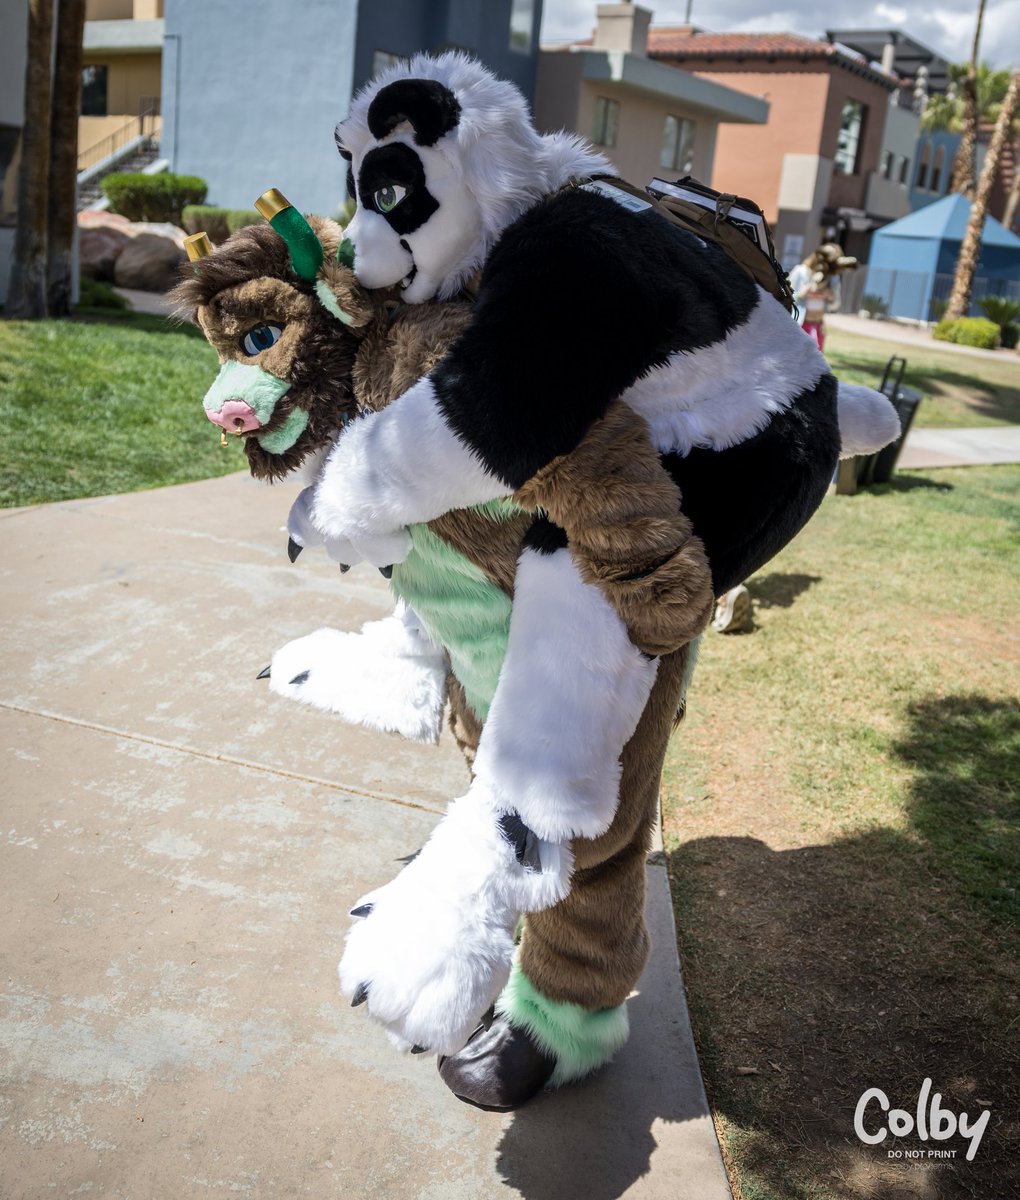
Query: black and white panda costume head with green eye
(443, 158)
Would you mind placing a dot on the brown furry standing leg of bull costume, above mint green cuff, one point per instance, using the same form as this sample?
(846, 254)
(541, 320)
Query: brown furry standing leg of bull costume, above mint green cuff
(591, 949)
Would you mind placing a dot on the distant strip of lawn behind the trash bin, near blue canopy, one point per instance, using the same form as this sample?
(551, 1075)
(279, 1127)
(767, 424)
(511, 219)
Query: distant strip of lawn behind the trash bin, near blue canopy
(959, 391)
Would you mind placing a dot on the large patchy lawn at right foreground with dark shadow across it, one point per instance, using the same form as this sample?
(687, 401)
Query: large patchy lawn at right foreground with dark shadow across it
(843, 821)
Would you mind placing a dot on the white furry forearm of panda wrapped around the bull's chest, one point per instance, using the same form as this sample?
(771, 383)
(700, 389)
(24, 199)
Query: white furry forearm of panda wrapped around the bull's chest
(398, 467)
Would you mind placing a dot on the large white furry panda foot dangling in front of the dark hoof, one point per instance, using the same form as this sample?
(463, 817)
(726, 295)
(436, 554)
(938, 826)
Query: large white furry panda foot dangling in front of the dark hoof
(436, 950)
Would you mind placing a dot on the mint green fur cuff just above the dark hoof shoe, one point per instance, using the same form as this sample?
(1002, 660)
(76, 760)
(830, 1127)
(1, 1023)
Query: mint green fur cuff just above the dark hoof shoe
(581, 1041)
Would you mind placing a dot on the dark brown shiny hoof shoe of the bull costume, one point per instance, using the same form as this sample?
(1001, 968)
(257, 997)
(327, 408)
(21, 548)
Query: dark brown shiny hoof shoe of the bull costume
(500, 1069)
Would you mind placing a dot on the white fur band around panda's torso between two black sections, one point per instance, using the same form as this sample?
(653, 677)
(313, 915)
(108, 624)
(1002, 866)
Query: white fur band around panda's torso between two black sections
(725, 393)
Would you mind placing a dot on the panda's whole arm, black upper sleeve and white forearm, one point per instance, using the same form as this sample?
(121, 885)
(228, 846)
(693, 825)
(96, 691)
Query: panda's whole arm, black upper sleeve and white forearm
(579, 299)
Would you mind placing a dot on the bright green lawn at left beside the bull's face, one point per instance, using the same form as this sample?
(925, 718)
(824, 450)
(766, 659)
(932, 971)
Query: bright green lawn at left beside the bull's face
(91, 407)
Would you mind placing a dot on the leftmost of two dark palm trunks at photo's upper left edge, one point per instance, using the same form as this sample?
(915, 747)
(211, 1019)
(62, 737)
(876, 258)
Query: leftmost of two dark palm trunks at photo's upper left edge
(27, 287)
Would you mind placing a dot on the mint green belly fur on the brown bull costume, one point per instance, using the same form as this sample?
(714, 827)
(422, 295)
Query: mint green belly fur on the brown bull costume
(460, 607)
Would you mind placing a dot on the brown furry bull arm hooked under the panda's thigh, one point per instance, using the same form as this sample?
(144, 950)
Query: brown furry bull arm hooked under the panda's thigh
(622, 515)
